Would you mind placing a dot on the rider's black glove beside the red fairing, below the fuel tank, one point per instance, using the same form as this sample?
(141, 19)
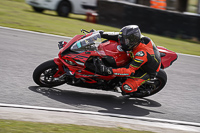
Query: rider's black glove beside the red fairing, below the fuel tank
(104, 70)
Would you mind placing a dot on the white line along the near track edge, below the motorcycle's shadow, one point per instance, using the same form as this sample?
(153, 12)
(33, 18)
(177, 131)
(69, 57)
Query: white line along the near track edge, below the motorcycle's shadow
(103, 114)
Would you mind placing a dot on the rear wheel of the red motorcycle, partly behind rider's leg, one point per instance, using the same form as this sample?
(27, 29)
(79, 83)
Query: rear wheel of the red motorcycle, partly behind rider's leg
(151, 87)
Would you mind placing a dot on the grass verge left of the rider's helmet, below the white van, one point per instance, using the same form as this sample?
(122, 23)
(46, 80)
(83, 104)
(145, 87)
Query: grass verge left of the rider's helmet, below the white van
(20, 15)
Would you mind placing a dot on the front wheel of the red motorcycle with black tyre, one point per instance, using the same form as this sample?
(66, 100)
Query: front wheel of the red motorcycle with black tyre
(43, 74)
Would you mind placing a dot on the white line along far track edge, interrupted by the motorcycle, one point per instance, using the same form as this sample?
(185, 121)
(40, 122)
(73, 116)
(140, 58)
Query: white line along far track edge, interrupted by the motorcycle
(39, 33)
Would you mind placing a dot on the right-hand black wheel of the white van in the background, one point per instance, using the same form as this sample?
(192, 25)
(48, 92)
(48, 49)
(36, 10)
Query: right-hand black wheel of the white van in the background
(64, 8)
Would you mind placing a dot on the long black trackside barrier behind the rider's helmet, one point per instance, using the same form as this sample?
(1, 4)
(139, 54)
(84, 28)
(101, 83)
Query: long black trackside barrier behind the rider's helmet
(161, 22)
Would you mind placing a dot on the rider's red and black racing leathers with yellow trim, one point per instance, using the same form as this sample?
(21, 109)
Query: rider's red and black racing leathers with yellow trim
(145, 63)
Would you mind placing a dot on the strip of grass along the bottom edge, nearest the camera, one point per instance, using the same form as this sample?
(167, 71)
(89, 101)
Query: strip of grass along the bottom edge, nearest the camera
(10, 126)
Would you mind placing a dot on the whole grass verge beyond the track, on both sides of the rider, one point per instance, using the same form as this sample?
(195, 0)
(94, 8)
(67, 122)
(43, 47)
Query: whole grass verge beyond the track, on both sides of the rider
(17, 14)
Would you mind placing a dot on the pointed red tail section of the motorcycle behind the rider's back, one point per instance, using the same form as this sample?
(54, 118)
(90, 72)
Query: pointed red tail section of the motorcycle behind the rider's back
(167, 57)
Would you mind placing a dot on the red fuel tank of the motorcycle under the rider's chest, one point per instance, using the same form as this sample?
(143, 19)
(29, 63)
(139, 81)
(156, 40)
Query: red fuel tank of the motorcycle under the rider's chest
(112, 48)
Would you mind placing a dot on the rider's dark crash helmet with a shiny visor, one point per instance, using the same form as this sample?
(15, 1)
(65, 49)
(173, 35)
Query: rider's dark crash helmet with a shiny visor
(129, 37)
